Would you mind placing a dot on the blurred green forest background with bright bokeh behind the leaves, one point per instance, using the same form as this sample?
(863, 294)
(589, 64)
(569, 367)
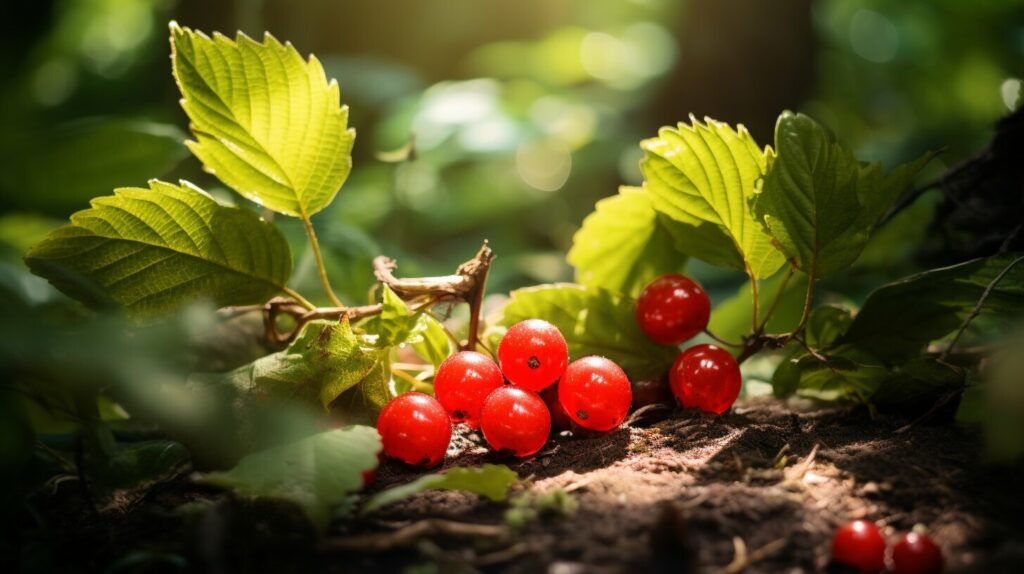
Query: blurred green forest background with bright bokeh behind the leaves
(524, 114)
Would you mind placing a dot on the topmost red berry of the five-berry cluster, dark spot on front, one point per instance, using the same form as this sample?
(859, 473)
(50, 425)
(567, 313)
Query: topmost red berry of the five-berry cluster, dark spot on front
(533, 355)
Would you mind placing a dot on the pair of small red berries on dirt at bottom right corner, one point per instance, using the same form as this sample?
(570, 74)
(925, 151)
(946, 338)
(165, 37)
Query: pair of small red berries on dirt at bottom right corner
(861, 546)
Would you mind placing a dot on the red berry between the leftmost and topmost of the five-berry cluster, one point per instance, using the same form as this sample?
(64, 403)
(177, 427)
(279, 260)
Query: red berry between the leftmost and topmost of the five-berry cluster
(462, 383)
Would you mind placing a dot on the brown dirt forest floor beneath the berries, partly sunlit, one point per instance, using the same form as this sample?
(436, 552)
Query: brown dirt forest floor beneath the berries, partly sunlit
(672, 493)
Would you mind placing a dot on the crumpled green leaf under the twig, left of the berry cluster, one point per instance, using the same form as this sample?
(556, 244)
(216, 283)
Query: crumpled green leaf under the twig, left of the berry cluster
(323, 363)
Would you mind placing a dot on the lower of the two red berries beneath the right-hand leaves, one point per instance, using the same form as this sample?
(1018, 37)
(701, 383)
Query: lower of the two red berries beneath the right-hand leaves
(706, 377)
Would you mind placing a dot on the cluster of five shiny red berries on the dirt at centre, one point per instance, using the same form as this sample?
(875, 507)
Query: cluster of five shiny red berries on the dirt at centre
(592, 392)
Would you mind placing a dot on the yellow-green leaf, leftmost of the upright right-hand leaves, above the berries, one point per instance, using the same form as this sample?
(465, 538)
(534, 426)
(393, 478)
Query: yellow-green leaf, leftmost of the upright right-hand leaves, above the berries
(624, 244)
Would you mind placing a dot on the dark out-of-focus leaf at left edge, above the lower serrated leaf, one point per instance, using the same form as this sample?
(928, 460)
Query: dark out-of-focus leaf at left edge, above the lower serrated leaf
(64, 168)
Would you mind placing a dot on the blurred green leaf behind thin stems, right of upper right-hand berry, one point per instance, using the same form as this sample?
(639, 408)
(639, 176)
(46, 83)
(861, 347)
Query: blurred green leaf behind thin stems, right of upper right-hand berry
(732, 320)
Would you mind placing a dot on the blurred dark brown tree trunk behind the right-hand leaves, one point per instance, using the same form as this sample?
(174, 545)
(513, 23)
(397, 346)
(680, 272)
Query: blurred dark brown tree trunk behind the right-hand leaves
(742, 62)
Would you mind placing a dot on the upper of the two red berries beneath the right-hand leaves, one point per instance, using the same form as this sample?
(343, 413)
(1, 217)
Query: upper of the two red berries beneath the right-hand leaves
(673, 310)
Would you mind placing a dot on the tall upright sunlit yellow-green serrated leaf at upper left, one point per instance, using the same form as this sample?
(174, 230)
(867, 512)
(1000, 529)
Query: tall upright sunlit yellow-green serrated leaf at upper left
(268, 123)
